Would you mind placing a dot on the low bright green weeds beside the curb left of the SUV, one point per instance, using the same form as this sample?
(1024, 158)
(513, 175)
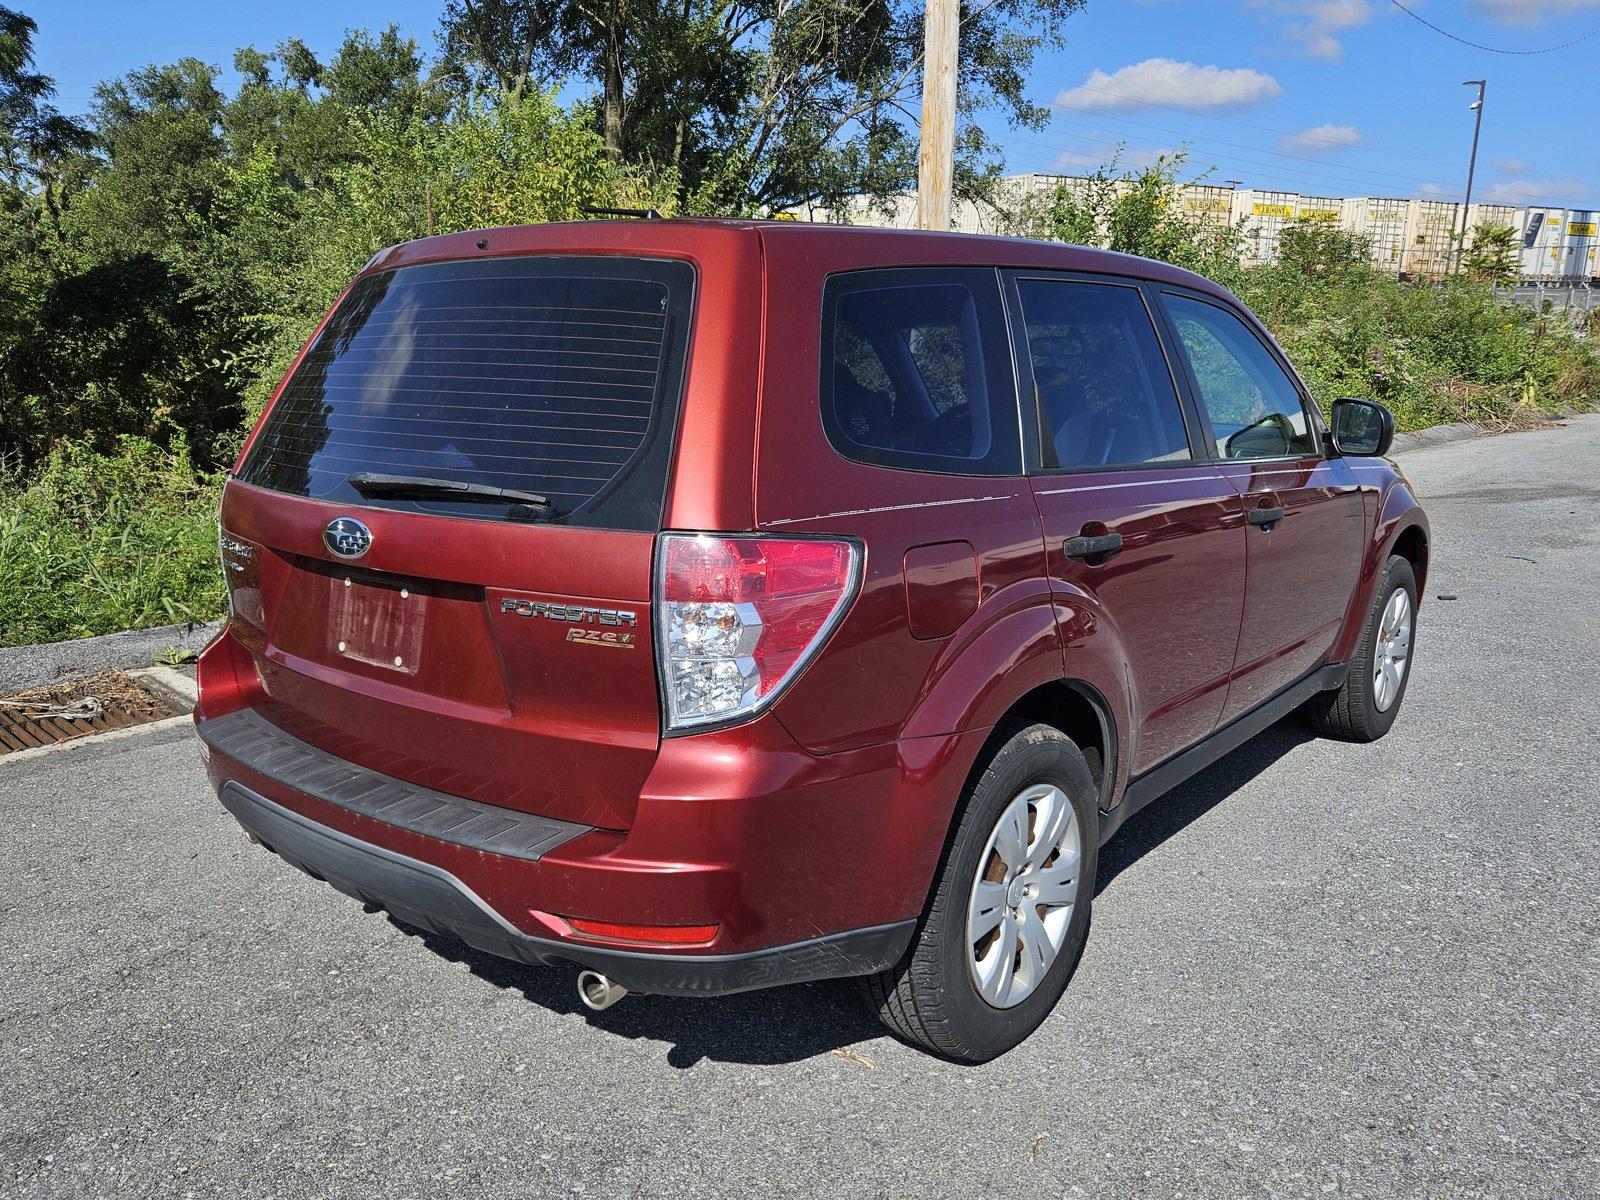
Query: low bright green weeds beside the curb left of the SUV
(106, 542)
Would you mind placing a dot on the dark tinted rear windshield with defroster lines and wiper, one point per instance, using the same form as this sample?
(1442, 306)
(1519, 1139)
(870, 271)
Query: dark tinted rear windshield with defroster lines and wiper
(554, 377)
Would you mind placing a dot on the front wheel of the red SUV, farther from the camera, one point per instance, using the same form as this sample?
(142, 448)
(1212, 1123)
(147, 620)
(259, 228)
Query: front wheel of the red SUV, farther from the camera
(1367, 703)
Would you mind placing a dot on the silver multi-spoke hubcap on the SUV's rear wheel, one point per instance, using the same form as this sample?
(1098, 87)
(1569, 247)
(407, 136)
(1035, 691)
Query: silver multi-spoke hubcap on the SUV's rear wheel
(1025, 894)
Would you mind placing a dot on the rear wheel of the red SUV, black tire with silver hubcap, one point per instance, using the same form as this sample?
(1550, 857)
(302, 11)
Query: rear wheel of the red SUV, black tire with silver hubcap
(1010, 910)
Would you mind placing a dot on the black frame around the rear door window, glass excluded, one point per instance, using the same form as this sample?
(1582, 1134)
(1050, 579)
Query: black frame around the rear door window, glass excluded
(1036, 442)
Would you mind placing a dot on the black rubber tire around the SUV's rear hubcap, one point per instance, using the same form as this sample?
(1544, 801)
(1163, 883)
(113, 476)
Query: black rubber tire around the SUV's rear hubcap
(930, 999)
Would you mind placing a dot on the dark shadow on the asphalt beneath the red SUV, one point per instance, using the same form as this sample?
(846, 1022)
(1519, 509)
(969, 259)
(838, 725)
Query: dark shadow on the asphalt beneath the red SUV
(788, 1025)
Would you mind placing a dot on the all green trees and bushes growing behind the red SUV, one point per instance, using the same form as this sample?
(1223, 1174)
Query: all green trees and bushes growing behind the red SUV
(164, 258)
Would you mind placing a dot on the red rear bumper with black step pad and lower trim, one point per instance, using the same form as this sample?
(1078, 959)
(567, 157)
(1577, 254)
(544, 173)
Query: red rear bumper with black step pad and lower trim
(804, 866)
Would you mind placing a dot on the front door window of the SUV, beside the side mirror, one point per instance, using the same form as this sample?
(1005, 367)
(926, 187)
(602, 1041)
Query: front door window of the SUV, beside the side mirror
(1254, 406)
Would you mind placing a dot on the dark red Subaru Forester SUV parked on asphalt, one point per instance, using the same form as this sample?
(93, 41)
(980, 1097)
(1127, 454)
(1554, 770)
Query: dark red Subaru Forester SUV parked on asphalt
(721, 604)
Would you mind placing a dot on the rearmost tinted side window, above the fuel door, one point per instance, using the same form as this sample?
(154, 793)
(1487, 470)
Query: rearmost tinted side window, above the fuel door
(918, 372)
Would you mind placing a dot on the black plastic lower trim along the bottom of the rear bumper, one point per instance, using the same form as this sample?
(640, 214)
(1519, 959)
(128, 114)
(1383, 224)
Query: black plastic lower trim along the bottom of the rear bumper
(431, 898)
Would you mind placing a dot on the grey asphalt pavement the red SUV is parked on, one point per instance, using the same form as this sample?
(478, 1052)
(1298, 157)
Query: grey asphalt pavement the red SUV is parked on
(1314, 970)
